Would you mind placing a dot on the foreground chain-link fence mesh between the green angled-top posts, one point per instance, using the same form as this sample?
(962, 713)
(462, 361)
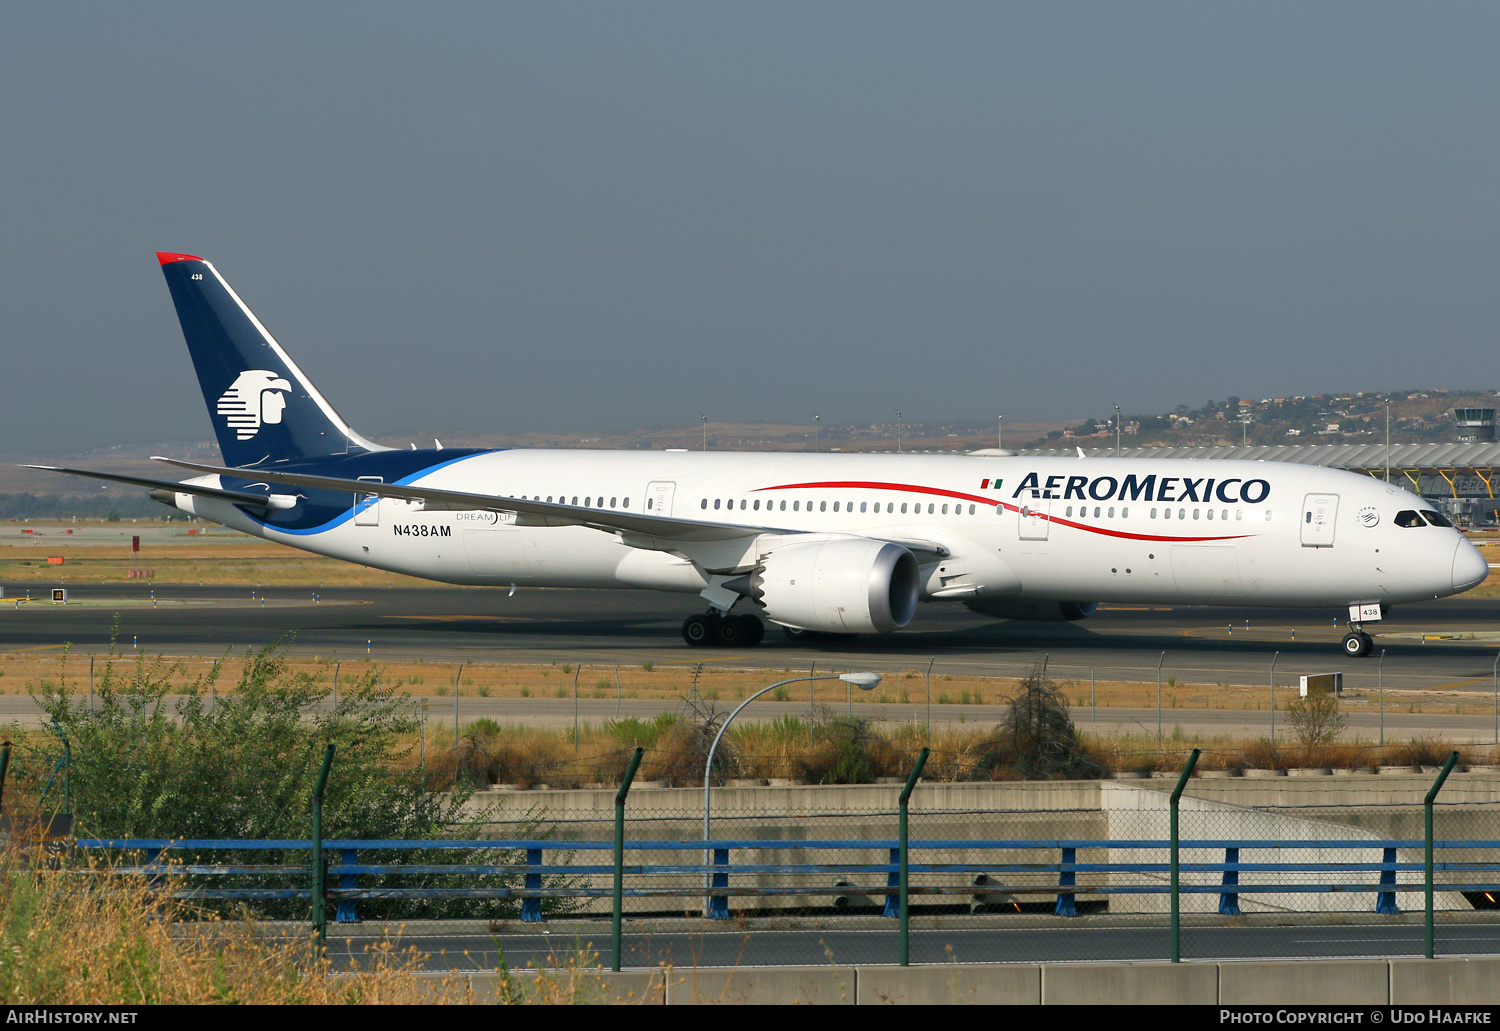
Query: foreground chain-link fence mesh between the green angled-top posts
(1042, 873)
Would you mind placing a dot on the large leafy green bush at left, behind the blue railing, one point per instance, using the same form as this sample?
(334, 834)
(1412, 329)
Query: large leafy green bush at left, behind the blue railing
(244, 768)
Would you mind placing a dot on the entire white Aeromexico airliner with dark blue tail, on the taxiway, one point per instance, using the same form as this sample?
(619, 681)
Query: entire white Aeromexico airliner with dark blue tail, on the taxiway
(818, 544)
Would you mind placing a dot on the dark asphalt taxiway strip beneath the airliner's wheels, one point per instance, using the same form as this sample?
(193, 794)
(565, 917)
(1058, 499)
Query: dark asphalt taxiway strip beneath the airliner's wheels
(632, 628)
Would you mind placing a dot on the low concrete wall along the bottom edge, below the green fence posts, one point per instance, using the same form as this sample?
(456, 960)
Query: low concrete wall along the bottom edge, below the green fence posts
(1366, 982)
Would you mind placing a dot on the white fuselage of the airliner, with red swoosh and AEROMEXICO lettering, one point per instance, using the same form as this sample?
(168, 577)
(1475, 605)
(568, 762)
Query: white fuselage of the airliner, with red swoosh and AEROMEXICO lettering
(1312, 537)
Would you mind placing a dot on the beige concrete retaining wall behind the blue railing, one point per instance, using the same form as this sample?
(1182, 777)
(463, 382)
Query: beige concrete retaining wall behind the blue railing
(1216, 808)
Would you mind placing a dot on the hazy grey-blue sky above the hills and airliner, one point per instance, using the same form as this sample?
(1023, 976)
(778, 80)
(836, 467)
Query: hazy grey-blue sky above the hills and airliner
(590, 217)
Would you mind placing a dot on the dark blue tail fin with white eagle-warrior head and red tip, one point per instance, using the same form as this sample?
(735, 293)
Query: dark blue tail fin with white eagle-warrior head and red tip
(262, 406)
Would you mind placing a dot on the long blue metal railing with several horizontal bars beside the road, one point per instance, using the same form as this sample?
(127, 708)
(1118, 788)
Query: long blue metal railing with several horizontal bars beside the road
(722, 873)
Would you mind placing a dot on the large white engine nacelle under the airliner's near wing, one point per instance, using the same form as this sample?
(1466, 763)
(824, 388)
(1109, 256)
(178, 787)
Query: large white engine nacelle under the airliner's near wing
(842, 586)
